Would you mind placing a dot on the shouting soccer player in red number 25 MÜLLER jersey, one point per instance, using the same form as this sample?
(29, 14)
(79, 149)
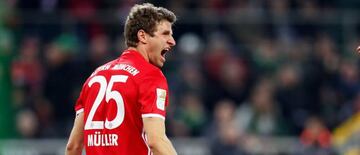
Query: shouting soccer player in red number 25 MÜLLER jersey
(121, 108)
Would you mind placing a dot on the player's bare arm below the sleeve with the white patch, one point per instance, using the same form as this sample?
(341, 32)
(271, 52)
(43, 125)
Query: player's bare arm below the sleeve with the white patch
(156, 138)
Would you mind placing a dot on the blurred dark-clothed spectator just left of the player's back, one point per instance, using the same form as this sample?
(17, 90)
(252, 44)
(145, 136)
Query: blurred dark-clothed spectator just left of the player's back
(61, 80)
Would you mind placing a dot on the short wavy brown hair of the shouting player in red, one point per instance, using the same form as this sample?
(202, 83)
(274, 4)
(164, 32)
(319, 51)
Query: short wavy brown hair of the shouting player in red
(144, 17)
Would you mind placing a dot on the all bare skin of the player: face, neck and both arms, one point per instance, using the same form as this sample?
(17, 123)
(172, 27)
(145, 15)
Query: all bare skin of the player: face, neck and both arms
(151, 48)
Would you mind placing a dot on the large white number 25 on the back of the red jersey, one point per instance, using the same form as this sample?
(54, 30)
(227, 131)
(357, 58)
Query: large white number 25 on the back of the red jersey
(107, 92)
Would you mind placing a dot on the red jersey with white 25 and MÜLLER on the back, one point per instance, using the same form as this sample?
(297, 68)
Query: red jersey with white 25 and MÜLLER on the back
(115, 98)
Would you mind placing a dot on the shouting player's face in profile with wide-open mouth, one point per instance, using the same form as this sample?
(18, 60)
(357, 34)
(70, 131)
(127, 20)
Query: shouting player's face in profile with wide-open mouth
(160, 44)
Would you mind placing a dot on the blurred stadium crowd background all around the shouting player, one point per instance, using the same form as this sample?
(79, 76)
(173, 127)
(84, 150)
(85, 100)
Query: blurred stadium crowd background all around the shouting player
(247, 77)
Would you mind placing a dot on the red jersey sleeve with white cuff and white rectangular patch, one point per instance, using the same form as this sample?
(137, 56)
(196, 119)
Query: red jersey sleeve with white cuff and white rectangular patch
(153, 95)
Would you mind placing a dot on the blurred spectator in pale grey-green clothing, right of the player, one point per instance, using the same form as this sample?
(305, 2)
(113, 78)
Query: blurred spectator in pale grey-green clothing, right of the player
(260, 115)
